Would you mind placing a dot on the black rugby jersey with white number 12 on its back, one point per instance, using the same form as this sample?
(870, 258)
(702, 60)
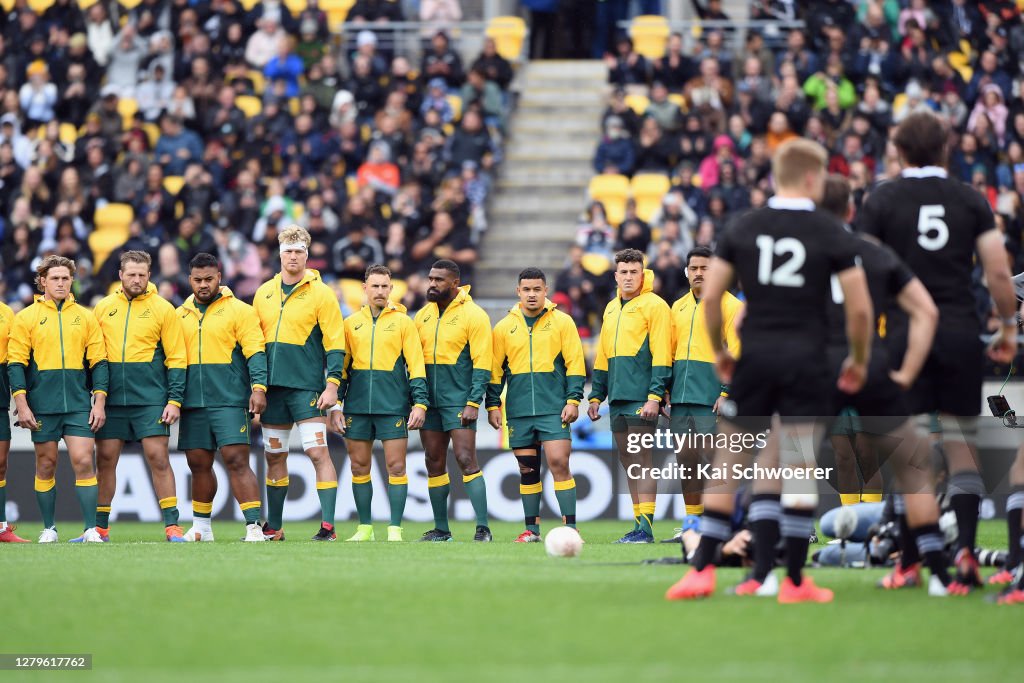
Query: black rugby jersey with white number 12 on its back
(785, 257)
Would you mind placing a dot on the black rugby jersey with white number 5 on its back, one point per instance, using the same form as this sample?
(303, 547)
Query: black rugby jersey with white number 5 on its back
(932, 223)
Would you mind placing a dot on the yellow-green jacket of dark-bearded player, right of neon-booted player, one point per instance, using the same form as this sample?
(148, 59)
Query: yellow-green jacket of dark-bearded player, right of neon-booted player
(456, 351)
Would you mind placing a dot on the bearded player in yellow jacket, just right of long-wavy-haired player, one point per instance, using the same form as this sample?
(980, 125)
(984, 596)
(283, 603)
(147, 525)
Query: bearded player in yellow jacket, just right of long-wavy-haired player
(147, 358)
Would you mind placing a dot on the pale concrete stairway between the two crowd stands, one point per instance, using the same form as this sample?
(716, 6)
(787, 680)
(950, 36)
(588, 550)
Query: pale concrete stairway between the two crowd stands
(543, 183)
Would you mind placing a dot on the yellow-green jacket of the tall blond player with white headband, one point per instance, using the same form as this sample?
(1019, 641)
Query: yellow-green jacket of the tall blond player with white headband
(304, 331)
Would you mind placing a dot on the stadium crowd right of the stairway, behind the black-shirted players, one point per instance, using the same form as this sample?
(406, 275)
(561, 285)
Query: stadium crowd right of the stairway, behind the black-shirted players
(708, 114)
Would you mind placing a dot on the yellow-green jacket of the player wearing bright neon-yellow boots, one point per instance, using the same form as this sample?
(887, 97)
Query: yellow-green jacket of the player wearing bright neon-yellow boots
(385, 372)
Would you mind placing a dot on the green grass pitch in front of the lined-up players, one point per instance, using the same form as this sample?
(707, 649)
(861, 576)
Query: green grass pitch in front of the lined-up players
(152, 612)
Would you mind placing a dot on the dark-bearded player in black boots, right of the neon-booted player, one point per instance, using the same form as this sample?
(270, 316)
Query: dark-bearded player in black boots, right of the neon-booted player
(456, 337)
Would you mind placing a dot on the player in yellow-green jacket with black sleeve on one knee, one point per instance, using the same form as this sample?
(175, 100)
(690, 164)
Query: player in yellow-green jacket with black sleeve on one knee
(539, 354)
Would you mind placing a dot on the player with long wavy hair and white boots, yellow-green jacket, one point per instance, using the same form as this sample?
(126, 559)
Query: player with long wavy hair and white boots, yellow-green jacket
(51, 344)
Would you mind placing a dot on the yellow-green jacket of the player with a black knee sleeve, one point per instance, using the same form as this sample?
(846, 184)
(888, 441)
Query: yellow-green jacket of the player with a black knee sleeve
(543, 365)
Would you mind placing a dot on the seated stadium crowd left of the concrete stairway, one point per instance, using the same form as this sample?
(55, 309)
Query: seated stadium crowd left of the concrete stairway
(217, 126)
